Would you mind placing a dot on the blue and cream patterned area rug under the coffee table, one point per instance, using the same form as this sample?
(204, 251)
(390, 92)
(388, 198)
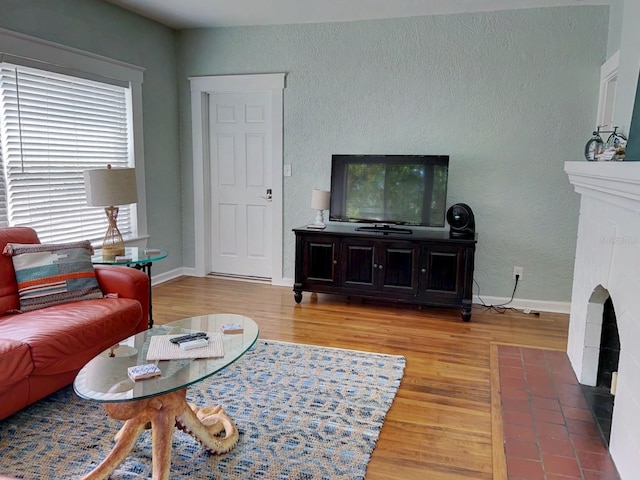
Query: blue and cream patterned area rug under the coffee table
(303, 412)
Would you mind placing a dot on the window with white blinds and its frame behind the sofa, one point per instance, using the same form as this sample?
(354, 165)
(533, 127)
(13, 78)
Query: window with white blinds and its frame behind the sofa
(62, 111)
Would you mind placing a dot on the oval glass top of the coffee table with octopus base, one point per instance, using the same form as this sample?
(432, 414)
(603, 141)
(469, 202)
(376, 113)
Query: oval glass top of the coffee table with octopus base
(105, 379)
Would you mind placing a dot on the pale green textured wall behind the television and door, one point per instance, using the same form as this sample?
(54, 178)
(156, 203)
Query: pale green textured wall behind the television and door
(508, 95)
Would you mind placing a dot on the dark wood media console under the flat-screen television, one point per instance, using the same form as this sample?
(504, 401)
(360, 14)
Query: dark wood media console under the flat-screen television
(420, 266)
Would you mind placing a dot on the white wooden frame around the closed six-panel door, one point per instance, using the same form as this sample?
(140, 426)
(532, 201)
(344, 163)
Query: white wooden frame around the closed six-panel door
(201, 88)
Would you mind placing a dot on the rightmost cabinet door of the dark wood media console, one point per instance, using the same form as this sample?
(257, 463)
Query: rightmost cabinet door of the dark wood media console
(442, 273)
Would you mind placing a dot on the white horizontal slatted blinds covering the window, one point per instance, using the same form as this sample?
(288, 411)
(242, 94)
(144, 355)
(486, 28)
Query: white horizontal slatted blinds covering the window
(54, 127)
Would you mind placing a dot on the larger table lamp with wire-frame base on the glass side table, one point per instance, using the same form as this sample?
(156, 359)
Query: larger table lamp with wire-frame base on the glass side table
(109, 187)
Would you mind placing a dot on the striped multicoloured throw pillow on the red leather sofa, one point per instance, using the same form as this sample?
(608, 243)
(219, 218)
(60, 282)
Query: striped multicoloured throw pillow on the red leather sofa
(55, 273)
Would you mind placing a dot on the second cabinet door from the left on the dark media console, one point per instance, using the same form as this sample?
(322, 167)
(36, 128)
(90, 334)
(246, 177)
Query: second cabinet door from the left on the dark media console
(359, 271)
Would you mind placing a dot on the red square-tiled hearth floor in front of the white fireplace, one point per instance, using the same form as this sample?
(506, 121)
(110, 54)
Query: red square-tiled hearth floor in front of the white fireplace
(549, 431)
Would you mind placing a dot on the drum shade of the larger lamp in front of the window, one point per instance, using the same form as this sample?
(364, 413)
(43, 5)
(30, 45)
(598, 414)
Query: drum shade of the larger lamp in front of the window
(110, 186)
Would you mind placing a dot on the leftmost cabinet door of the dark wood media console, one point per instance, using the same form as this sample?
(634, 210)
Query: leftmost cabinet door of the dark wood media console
(319, 261)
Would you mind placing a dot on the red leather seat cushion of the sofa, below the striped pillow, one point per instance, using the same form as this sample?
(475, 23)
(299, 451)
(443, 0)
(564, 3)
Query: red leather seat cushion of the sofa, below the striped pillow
(65, 337)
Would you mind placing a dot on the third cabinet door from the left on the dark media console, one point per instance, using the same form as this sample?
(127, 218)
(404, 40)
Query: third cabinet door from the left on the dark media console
(398, 267)
